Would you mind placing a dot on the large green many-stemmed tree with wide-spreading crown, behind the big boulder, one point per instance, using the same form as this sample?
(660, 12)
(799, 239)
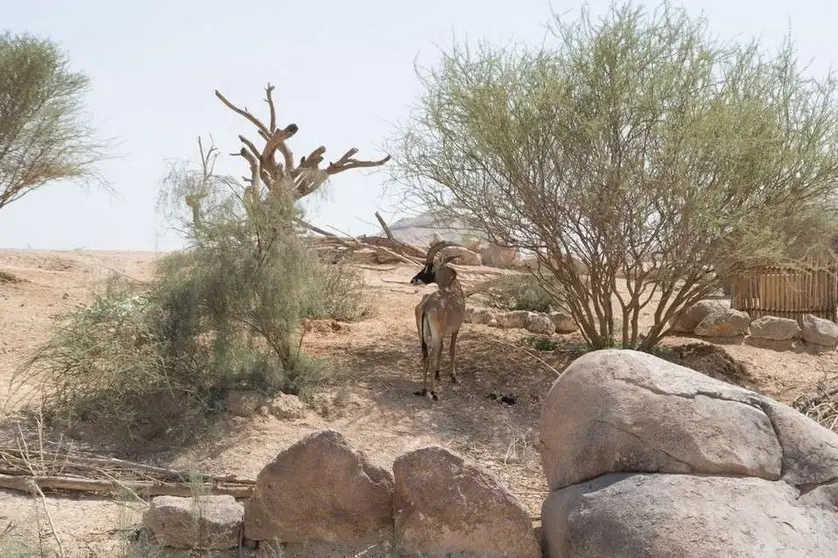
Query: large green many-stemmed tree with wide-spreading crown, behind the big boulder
(639, 159)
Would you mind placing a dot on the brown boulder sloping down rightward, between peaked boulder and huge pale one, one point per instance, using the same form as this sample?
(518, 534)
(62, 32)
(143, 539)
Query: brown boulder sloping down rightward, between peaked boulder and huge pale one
(443, 504)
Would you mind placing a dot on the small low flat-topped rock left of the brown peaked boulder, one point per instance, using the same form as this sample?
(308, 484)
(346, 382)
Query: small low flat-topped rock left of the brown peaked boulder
(210, 522)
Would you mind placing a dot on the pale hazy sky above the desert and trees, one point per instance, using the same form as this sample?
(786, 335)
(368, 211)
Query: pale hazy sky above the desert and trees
(343, 71)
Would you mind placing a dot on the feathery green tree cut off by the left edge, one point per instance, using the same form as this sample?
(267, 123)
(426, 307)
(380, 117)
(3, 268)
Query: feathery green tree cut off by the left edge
(44, 136)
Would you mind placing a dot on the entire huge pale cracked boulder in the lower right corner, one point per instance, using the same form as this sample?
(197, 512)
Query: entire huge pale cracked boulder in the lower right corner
(648, 458)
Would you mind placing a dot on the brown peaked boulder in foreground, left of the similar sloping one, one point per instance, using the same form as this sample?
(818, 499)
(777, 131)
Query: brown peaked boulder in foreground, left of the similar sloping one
(321, 489)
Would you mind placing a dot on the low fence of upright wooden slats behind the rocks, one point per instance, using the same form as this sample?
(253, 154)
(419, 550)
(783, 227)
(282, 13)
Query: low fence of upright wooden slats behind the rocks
(787, 292)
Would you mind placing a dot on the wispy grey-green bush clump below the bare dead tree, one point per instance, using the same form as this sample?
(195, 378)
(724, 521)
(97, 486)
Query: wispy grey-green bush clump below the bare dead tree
(144, 359)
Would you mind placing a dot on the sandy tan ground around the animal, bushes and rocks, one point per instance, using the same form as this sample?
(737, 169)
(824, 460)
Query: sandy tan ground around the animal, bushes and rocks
(376, 364)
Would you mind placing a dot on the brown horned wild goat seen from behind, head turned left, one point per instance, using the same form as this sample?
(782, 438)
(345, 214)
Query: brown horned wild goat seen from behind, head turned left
(438, 315)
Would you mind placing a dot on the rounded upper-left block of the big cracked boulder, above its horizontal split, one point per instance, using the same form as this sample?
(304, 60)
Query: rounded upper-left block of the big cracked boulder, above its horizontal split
(625, 411)
